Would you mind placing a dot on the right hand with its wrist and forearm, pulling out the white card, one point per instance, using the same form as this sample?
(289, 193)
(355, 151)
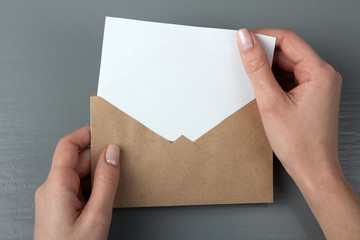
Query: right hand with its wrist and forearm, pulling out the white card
(302, 125)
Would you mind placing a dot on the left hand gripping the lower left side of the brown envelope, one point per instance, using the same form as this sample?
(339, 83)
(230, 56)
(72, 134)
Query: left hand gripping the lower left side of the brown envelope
(61, 207)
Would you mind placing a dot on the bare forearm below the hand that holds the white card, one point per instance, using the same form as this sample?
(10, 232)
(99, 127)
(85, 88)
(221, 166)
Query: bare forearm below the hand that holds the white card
(332, 200)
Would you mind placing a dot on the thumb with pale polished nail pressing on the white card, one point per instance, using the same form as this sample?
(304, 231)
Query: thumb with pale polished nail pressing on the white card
(266, 88)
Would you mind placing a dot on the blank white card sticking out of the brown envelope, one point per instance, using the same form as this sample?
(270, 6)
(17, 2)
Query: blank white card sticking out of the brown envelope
(174, 79)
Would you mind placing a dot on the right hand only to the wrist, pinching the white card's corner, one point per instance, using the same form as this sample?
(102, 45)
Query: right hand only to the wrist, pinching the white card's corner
(301, 124)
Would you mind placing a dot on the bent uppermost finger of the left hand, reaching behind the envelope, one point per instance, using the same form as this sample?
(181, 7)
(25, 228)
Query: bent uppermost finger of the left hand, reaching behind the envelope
(66, 154)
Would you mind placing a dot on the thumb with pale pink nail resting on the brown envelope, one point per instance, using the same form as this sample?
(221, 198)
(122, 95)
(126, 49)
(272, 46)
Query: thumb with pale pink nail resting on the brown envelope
(106, 179)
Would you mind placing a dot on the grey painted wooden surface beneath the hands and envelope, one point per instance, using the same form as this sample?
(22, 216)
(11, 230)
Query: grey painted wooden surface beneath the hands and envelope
(49, 65)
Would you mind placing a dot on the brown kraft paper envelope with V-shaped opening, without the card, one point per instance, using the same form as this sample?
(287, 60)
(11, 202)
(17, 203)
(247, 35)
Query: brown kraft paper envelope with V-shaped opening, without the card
(231, 163)
